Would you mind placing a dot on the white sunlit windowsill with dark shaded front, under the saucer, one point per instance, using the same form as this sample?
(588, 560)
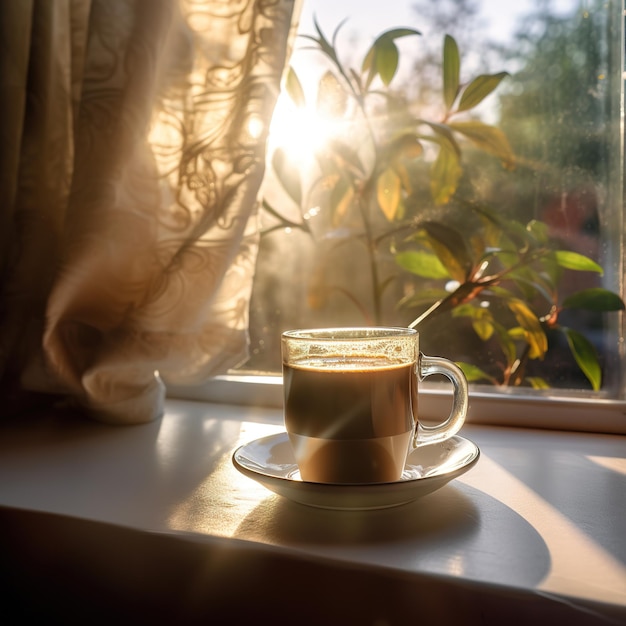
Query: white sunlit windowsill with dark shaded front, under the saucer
(154, 521)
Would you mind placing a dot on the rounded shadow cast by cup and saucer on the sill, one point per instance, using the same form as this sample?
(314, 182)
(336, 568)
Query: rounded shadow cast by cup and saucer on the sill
(457, 530)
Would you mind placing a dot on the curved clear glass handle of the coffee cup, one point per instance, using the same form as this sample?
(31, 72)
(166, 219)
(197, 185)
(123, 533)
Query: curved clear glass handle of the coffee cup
(427, 366)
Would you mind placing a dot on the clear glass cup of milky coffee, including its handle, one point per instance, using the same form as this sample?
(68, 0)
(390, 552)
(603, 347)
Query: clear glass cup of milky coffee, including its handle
(351, 401)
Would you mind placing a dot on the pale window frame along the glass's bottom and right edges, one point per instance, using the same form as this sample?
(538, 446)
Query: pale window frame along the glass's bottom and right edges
(569, 409)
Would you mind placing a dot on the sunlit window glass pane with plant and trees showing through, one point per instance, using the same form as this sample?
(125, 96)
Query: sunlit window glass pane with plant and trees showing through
(476, 184)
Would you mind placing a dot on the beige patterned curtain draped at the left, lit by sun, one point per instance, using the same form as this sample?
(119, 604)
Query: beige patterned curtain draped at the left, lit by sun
(132, 150)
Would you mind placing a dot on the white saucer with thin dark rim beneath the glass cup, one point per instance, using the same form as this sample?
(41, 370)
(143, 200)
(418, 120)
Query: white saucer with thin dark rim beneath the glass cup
(270, 461)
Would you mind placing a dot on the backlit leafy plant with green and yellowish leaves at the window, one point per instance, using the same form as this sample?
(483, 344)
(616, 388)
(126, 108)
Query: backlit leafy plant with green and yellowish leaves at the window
(399, 183)
